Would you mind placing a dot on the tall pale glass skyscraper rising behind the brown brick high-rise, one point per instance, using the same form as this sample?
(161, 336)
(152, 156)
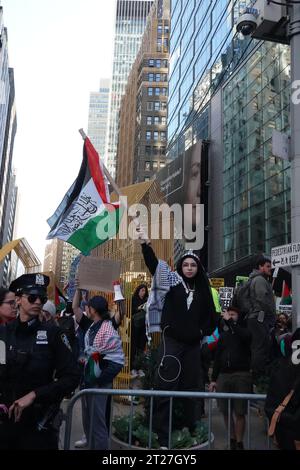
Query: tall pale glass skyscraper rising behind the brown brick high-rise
(131, 17)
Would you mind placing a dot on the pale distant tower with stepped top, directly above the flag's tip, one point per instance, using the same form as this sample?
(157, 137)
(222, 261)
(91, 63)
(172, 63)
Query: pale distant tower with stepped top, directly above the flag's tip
(98, 117)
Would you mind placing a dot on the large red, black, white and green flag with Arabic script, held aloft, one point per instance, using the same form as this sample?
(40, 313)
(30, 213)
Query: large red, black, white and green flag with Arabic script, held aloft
(86, 218)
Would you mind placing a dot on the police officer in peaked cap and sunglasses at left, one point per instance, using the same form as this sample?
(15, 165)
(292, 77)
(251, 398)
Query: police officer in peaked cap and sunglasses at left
(37, 370)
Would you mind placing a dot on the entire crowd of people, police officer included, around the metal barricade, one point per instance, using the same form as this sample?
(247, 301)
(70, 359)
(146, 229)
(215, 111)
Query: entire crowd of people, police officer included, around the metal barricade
(201, 346)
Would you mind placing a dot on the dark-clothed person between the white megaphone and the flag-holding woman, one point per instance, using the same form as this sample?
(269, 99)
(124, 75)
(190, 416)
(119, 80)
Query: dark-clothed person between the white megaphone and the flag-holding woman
(138, 326)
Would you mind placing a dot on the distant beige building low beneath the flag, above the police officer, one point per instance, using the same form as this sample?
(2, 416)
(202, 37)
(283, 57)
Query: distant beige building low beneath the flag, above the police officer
(58, 258)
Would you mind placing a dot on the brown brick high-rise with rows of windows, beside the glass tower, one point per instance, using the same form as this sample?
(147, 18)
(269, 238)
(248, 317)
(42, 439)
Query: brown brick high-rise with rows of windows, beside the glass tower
(143, 114)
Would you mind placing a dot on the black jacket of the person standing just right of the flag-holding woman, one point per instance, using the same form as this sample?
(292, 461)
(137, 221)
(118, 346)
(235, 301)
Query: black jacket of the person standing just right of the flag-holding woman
(233, 353)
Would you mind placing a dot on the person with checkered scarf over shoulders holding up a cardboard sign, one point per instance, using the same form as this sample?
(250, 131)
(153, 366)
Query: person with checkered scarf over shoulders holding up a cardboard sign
(104, 359)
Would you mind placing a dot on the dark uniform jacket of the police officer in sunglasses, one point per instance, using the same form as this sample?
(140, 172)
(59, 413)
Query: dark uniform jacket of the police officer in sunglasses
(38, 358)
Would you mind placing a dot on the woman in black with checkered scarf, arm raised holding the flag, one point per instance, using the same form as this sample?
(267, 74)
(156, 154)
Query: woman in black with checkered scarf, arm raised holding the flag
(181, 306)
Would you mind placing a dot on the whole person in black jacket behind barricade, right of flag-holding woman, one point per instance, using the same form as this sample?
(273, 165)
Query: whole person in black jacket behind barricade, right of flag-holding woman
(231, 372)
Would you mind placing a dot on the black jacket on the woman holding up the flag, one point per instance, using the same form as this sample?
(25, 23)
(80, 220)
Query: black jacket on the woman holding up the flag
(187, 326)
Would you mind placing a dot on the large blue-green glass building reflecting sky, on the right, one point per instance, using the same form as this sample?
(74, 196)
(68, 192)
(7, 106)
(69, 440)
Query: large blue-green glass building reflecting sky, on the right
(231, 91)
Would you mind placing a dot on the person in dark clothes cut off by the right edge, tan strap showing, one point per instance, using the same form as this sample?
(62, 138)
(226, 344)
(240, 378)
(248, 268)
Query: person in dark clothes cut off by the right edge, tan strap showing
(282, 405)
